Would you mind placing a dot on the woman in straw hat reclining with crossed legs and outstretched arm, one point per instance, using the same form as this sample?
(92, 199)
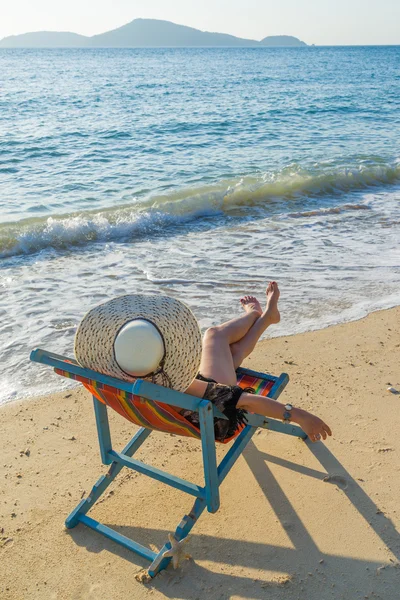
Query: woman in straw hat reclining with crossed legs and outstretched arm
(158, 338)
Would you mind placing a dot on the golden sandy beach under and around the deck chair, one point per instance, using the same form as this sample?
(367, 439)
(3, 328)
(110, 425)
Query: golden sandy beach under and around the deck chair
(284, 529)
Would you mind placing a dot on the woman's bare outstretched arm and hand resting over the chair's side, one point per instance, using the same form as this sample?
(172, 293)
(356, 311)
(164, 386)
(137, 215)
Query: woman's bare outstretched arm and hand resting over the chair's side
(313, 426)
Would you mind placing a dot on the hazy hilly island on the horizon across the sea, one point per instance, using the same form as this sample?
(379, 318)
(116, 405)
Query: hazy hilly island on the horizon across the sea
(141, 33)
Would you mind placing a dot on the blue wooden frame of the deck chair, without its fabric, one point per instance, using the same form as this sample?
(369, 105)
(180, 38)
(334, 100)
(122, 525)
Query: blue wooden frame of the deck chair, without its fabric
(207, 496)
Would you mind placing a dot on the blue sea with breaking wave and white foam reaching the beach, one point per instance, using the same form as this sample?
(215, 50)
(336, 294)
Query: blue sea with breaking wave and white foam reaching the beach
(201, 173)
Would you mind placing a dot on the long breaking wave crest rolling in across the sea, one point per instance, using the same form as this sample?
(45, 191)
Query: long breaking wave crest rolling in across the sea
(156, 213)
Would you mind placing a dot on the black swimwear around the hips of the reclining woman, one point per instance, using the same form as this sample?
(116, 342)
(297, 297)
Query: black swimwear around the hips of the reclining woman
(225, 398)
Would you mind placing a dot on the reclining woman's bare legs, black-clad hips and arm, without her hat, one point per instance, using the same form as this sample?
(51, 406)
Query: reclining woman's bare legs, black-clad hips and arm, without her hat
(224, 349)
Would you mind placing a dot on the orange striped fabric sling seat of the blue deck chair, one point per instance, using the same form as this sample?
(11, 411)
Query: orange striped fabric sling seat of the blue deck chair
(156, 415)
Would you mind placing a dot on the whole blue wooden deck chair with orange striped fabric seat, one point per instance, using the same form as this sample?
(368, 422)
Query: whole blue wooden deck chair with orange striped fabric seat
(154, 407)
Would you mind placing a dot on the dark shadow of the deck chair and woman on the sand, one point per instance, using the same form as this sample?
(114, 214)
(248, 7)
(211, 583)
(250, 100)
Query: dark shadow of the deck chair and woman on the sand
(197, 581)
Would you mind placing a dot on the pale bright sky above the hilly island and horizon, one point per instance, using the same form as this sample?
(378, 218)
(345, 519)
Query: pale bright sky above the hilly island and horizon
(320, 22)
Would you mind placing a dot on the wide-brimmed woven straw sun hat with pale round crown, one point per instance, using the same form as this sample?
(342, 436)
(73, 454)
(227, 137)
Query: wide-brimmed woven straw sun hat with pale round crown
(136, 336)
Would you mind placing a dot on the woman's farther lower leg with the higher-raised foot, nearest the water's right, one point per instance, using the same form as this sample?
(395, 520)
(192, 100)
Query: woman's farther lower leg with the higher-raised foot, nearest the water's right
(244, 347)
